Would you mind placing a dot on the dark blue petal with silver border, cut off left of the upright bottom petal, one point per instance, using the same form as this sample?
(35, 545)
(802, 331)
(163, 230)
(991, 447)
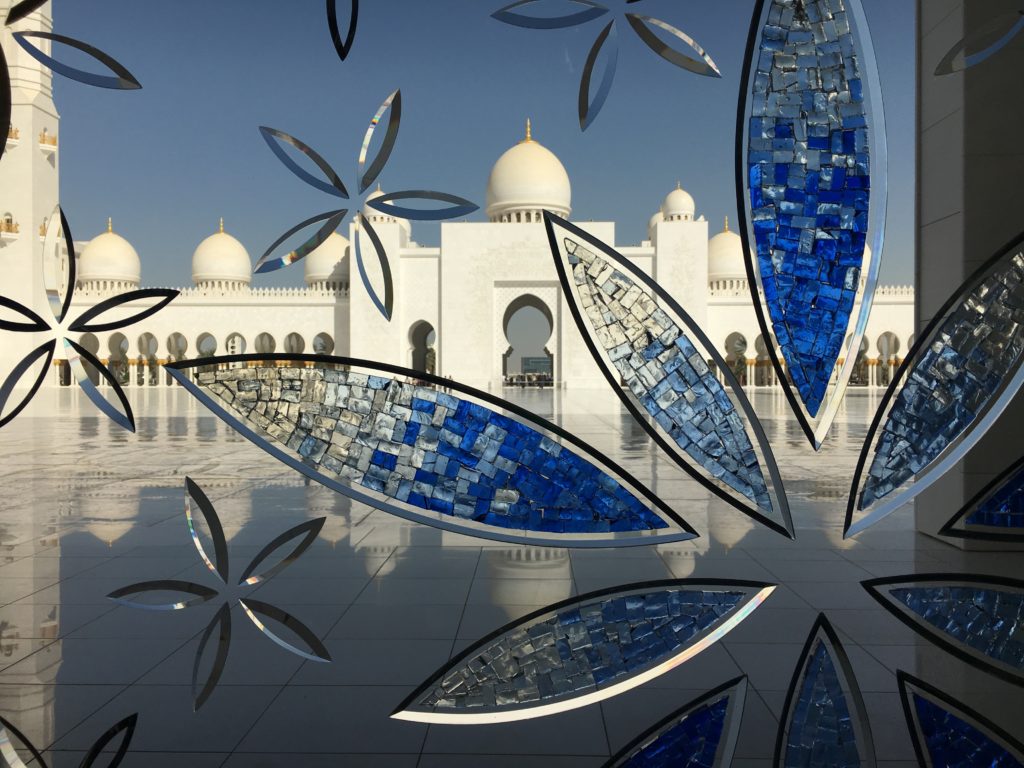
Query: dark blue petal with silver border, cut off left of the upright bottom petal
(702, 735)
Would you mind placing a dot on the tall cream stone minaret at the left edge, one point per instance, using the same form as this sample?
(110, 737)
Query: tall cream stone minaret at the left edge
(28, 178)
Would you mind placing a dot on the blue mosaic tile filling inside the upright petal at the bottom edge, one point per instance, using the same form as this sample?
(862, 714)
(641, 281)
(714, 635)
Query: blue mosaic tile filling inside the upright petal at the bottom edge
(822, 731)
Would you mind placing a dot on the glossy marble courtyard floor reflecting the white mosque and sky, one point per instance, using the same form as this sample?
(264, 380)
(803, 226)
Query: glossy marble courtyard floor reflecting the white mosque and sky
(90, 508)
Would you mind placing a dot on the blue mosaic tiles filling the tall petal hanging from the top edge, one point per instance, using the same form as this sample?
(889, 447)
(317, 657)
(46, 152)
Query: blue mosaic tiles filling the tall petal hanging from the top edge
(808, 57)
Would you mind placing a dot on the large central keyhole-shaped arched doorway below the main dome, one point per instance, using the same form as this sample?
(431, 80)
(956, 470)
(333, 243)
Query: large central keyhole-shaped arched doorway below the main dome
(529, 325)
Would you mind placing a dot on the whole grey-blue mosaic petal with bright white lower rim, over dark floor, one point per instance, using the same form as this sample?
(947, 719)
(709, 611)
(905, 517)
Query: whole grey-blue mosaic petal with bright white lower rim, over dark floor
(582, 651)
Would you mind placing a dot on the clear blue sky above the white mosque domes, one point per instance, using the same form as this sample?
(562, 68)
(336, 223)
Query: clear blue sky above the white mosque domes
(168, 161)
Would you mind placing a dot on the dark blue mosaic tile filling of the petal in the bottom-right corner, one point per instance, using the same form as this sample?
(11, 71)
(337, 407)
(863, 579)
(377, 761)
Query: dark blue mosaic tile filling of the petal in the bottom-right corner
(955, 744)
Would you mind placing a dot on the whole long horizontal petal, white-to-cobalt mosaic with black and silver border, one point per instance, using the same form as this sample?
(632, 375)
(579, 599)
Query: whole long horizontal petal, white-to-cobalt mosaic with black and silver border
(397, 440)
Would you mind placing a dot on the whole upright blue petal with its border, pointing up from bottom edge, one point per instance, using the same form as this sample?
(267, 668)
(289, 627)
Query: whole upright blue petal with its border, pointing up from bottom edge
(826, 723)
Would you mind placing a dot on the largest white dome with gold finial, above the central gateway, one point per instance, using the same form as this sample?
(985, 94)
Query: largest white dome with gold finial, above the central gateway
(526, 181)
